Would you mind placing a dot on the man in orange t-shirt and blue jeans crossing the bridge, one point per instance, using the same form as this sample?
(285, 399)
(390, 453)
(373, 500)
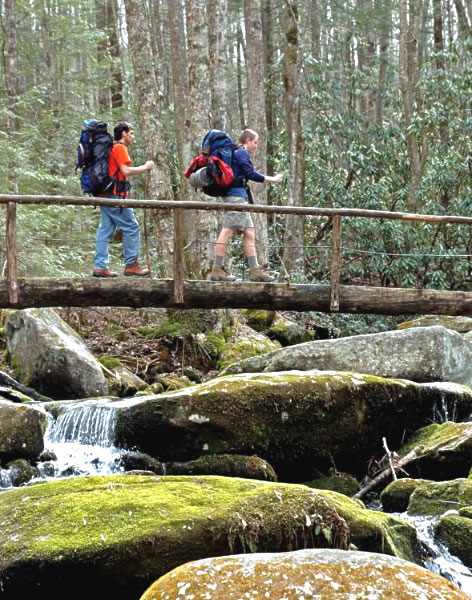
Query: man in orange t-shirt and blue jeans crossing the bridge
(113, 218)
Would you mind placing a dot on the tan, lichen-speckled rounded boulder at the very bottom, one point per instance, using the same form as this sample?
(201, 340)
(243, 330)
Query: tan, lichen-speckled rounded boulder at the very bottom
(305, 574)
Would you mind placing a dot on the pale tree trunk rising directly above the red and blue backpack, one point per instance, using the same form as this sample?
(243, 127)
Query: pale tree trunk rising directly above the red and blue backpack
(217, 35)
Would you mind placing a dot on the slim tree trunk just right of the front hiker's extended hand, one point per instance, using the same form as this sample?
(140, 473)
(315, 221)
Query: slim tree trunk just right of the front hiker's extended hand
(293, 240)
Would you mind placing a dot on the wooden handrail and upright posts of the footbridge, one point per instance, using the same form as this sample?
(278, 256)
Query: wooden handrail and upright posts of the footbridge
(178, 206)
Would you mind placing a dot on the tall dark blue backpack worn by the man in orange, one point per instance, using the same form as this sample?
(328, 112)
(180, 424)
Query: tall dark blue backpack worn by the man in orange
(93, 151)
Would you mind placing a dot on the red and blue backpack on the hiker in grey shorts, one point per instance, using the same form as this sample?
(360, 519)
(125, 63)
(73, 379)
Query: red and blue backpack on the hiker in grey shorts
(211, 170)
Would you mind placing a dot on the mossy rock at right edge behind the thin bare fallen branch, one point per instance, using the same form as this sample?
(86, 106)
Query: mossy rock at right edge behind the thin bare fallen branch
(444, 451)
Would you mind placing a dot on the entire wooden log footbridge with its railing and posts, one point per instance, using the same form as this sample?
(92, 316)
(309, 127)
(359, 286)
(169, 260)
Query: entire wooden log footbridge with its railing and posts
(178, 292)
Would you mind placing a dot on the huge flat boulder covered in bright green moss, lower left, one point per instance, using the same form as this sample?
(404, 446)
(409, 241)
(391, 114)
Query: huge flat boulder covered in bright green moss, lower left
(123, 532)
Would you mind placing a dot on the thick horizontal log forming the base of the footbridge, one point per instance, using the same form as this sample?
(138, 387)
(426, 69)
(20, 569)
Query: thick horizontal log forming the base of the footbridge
(40, 292)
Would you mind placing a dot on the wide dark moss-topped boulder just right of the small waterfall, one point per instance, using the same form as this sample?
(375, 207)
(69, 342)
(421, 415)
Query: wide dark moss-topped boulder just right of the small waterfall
(298, 421)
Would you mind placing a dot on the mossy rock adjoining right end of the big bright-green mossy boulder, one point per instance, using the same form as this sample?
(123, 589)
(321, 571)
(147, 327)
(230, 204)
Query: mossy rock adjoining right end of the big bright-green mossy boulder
(374, 531)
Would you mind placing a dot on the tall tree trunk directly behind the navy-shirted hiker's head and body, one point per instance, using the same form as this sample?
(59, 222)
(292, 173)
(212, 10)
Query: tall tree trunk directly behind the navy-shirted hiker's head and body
(256, 113)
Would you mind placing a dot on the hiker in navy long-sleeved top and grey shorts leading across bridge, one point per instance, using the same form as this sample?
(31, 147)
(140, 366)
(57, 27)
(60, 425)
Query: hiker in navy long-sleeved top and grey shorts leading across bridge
(241, 221)
